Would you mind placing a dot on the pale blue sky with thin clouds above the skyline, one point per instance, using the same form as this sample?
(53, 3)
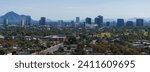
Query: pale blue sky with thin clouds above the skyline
(69, 9)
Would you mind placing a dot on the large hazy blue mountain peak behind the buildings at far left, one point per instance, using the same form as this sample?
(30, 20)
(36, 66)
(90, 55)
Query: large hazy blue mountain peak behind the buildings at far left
(14, 18)
